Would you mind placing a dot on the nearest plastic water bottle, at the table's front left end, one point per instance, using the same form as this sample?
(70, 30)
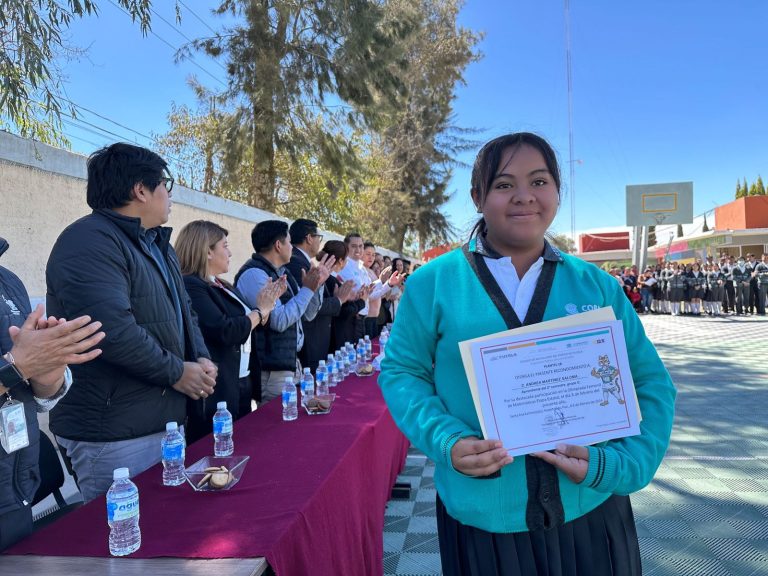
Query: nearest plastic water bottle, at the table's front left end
(123, 514)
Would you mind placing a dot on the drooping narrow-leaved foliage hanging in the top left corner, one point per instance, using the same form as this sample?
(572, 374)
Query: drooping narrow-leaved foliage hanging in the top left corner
(31, 38)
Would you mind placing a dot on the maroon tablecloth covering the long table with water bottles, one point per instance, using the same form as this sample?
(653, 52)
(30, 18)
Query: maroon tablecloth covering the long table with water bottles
(311, 499)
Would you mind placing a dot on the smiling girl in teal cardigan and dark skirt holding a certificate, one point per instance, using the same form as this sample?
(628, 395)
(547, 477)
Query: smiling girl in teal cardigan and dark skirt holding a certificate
(560, 512)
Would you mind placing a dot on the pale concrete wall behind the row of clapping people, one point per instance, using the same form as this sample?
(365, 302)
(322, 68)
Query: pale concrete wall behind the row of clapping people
(42, 190)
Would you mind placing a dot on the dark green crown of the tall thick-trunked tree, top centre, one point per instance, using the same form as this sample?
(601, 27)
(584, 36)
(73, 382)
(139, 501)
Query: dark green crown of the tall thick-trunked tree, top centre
(289, 63)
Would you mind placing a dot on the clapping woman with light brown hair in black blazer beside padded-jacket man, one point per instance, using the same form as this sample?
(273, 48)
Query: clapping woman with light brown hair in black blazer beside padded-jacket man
(224, 319)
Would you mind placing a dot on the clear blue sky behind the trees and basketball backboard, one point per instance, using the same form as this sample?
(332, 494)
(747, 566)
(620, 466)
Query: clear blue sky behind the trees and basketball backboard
(662, 91)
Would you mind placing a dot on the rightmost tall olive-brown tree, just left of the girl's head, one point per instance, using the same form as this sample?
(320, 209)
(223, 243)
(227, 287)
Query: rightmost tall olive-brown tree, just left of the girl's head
(417, 143)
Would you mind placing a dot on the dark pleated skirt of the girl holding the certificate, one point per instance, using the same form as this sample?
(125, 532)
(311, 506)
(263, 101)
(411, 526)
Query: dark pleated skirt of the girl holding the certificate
(600, 543)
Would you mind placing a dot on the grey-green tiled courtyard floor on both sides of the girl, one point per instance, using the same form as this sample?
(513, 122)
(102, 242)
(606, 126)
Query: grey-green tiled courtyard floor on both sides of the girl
(706, 511)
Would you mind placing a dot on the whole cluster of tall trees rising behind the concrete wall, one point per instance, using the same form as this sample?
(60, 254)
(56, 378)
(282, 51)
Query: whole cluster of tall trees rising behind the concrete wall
(378, 159)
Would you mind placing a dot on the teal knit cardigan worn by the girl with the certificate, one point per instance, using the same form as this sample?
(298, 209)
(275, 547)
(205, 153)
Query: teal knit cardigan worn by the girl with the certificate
(426, 389)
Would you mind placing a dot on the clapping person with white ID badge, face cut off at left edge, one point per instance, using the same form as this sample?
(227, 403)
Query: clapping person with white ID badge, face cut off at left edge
(34, 353)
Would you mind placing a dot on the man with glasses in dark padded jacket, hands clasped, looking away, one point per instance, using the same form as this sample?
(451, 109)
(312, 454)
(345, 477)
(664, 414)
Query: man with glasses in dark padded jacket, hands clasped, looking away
(117, 266)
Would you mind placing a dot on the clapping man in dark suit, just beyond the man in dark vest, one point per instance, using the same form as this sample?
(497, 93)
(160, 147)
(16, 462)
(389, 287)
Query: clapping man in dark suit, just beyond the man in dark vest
(317, 332)
